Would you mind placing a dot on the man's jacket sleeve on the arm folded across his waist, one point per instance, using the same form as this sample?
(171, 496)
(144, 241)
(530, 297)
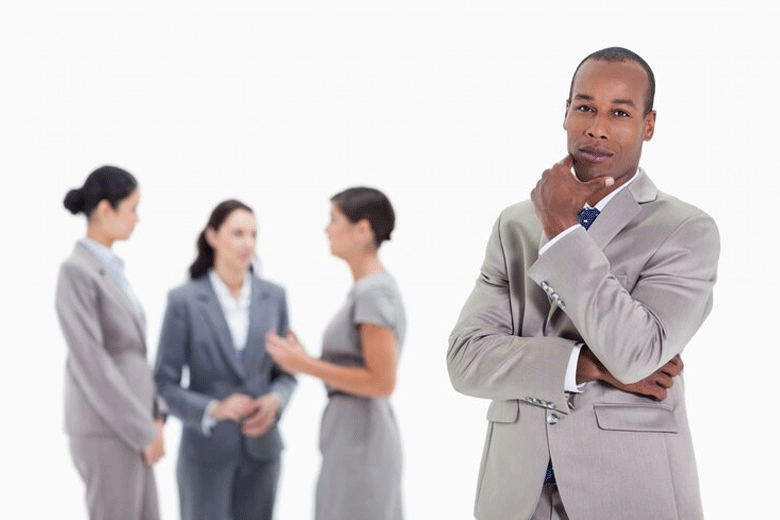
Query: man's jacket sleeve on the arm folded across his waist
(487, 357)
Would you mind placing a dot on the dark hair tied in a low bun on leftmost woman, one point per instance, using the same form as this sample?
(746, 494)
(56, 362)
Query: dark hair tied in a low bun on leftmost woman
(107, 182)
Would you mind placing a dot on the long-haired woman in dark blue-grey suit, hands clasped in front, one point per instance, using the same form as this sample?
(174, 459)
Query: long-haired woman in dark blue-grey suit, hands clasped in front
(215, 327)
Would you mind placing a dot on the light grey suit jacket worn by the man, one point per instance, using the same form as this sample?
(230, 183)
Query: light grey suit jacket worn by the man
(634, 288)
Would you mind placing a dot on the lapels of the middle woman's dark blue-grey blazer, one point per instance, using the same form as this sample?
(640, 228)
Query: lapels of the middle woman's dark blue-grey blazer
(257, 317)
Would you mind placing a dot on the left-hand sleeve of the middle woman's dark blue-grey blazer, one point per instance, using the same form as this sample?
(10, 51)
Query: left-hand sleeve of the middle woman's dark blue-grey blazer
(172, 355)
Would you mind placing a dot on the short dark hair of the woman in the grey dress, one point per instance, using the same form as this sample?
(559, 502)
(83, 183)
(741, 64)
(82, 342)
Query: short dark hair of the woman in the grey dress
(371, 204)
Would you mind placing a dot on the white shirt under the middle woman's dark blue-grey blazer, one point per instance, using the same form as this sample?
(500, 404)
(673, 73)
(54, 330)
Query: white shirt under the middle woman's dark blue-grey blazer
(236, 311)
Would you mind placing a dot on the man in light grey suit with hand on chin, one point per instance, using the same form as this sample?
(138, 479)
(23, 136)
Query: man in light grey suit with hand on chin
(587, 295)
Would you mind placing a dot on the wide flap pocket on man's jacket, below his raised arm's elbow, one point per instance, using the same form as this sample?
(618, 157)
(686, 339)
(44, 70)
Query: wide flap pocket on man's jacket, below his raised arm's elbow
(635, 418)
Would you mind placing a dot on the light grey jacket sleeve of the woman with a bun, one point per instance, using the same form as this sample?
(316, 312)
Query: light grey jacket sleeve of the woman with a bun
(93, 369)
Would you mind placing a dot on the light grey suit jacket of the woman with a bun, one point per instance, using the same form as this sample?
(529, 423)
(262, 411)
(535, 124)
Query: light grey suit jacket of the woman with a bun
(108, 385)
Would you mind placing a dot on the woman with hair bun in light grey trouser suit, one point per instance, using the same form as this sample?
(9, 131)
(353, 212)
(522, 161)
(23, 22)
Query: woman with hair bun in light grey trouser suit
(112, 415)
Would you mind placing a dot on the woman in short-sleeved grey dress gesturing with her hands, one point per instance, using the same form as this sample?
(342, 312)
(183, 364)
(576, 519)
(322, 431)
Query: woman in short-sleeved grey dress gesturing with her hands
(360, 478)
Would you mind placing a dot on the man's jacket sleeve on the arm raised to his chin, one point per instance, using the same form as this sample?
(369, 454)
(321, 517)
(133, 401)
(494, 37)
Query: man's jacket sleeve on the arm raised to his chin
(635, 333)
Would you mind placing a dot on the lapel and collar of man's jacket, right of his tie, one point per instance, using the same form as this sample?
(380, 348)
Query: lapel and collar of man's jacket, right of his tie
(620, 210)
